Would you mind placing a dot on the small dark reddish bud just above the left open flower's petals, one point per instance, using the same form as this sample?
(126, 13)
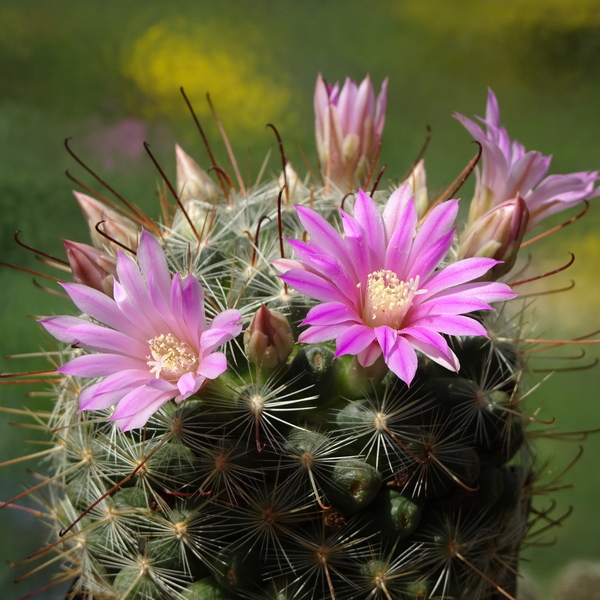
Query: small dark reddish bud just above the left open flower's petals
(91, 267)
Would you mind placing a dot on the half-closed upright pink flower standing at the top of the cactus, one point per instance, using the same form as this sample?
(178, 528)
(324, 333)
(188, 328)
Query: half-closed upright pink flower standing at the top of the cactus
(348, 126)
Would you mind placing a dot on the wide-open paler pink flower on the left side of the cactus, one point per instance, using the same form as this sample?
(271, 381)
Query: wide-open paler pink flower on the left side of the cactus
(156, 346)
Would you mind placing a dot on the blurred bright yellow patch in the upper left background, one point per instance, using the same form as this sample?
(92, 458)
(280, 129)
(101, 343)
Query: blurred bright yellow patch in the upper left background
(204, 58)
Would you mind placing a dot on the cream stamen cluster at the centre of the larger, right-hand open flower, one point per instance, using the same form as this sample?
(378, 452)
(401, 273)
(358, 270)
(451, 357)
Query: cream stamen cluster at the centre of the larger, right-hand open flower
(387, 299)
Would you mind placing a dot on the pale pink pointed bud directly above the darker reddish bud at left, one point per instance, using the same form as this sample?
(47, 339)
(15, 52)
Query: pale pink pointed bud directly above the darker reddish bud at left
(116, 226)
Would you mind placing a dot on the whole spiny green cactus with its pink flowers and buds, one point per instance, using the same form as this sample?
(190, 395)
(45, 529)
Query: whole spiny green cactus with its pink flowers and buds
(384, 452)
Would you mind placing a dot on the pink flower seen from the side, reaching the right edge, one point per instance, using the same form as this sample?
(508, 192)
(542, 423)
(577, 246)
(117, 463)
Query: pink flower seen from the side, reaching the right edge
(507, 170)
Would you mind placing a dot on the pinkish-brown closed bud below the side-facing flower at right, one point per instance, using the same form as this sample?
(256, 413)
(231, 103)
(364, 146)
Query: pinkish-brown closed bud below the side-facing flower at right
(498, 235)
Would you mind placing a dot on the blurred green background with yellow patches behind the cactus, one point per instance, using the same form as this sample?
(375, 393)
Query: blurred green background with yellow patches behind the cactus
(108, 74)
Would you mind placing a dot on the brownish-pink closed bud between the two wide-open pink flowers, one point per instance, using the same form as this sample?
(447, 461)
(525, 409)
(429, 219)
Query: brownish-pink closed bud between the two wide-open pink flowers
(268, 341)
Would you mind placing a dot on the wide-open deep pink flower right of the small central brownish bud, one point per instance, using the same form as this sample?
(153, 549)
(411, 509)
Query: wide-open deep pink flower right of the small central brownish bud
(379, 287)
